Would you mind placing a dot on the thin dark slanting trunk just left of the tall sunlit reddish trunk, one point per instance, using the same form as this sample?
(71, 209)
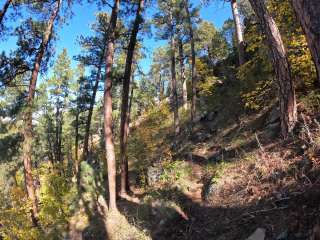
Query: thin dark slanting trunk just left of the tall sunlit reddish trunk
(92, 102)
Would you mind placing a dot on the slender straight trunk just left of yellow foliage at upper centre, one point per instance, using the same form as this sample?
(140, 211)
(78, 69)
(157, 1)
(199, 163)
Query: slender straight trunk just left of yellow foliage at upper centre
(193, 64)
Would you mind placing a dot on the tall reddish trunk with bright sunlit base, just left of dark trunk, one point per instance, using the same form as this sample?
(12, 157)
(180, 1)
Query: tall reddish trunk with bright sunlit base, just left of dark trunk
(109, 144)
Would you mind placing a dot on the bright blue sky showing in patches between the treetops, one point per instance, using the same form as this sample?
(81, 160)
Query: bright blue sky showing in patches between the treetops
(84, 16)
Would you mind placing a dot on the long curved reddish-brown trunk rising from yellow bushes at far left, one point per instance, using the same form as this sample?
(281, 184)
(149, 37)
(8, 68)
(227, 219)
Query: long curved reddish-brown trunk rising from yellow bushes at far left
(27, 133)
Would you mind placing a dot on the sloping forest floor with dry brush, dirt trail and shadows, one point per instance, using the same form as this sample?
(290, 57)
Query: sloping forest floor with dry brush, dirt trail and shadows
(226, 178)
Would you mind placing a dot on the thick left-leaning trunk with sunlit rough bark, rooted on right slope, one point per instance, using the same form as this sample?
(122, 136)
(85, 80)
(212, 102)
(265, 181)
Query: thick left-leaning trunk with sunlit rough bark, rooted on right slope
(281, 66)
